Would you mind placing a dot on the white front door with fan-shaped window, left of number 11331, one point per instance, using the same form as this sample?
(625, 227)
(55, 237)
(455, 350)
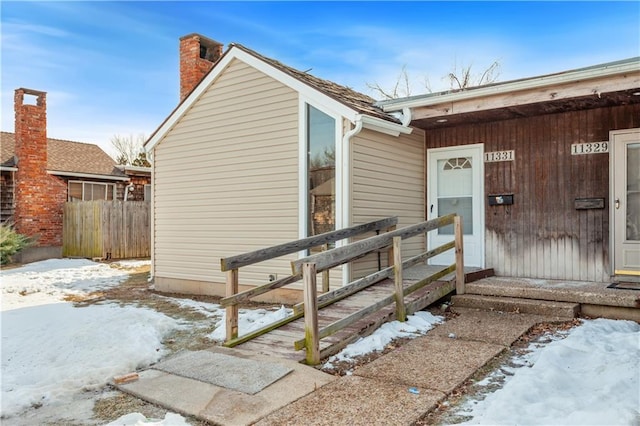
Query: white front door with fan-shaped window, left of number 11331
(456, 185)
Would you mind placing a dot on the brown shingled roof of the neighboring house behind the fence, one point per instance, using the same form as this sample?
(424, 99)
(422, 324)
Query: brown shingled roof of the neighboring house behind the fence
(65, 156)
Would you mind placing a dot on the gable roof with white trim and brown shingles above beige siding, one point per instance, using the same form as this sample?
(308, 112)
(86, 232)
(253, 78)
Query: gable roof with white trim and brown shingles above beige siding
(343, 100)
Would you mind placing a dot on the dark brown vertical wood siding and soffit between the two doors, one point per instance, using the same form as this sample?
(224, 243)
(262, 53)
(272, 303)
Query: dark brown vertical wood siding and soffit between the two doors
(543, 235)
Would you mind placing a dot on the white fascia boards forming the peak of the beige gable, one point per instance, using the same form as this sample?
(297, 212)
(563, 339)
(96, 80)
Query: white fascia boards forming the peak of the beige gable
(315, 96)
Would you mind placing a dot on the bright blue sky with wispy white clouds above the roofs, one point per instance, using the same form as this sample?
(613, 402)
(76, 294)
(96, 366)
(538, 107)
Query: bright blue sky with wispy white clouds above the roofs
(111, 68)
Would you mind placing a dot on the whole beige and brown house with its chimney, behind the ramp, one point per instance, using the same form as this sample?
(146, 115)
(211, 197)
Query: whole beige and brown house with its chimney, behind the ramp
(541, 169)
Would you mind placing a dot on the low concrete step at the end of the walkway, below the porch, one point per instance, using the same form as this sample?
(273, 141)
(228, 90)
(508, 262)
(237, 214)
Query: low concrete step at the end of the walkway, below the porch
(512, 304)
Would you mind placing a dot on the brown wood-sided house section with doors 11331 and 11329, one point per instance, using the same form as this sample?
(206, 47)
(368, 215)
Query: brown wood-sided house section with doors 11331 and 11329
(546, 168)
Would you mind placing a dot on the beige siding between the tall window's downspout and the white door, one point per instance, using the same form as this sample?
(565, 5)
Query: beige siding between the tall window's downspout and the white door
(388, 178)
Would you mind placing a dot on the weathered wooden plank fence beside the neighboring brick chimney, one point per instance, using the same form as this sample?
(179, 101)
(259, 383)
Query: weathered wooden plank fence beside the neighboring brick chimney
(106, 229)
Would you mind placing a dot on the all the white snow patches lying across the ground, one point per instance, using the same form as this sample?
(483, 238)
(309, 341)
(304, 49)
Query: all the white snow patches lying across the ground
(57, 357)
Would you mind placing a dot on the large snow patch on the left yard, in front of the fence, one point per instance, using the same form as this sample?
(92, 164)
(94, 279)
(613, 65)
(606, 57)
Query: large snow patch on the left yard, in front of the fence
(53, 351)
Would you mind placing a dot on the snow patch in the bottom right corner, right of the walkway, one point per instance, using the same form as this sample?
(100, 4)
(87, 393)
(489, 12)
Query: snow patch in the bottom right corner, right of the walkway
(590, 377)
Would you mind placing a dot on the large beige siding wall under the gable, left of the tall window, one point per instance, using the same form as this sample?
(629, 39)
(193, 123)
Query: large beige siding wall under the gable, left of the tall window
(226, 179)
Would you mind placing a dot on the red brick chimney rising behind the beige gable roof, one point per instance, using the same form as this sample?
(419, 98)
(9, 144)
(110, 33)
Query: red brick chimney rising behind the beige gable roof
(197, 56)
